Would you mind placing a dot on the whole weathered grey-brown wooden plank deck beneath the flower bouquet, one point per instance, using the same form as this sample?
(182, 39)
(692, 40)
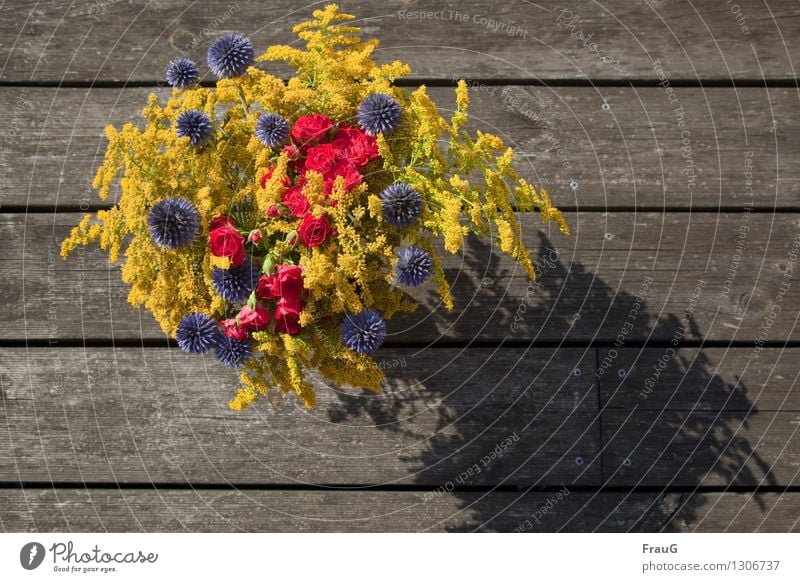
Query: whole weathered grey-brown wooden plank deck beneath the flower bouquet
(648, 382)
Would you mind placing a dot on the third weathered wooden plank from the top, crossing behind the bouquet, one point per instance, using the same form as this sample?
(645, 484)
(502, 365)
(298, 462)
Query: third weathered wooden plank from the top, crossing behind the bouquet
(641, 277)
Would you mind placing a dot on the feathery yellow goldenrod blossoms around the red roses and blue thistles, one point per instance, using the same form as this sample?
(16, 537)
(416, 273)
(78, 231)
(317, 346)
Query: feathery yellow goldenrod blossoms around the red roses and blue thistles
(353, 271)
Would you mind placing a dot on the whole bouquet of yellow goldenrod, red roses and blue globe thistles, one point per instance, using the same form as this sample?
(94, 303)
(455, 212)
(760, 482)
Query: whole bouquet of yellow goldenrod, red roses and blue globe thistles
(279, 223)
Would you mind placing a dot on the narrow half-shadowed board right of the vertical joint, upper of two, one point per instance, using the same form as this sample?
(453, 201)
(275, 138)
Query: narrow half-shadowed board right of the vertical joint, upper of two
(736, 380)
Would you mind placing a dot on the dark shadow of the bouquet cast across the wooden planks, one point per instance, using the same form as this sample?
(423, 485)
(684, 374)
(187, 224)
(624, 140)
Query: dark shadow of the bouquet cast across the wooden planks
(668, 422)
